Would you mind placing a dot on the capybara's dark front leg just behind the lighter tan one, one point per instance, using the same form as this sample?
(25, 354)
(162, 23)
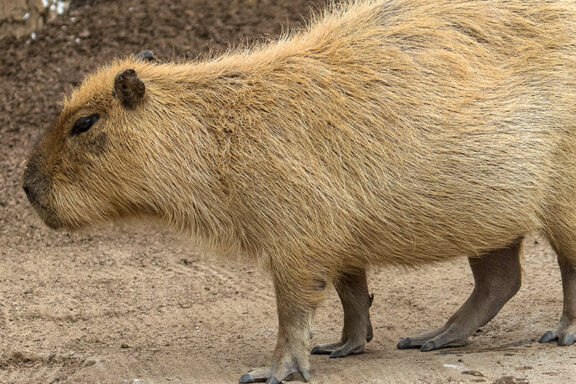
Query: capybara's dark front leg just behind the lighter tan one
(352, 288)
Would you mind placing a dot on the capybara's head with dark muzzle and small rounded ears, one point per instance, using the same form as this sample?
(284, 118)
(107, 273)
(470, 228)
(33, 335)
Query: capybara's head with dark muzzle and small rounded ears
(79, 171)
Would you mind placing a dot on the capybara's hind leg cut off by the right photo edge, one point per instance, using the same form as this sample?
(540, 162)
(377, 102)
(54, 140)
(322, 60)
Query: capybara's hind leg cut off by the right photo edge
(565, 334)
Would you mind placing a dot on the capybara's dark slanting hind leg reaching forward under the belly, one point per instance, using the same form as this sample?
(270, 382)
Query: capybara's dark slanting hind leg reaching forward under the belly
(497, 278)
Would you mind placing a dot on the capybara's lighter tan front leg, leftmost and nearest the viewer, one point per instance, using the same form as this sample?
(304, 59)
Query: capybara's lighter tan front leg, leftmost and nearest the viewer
(297, 295)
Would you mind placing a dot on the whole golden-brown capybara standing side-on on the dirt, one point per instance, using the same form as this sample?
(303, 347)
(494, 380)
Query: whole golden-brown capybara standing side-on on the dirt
(387, 132)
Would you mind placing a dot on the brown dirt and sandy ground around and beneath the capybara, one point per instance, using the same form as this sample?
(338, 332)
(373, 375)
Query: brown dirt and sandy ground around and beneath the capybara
(129, 303)
